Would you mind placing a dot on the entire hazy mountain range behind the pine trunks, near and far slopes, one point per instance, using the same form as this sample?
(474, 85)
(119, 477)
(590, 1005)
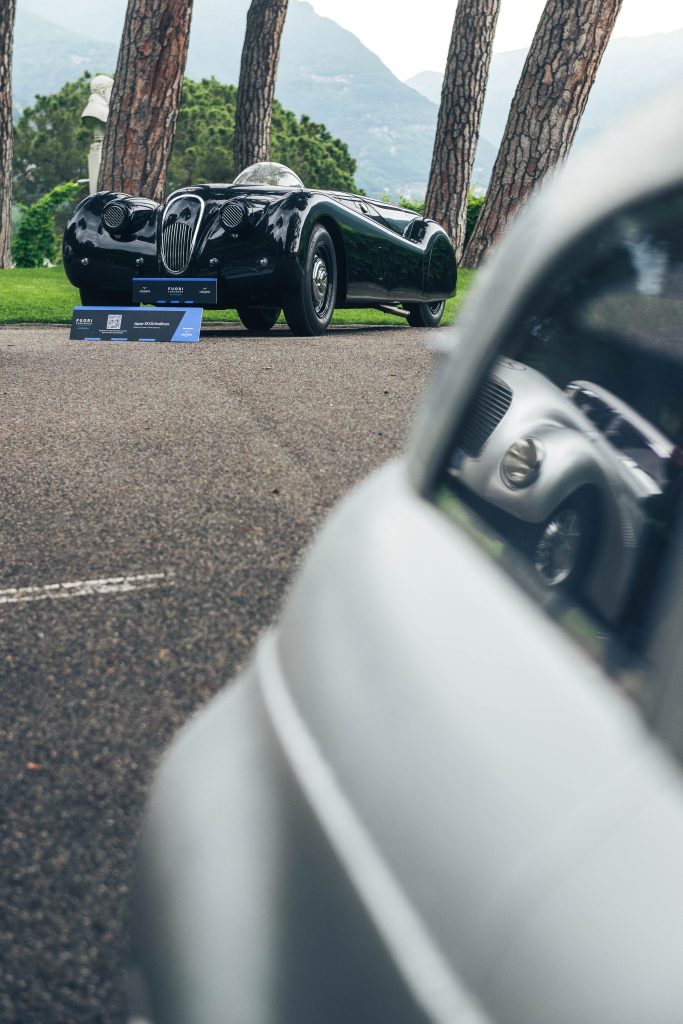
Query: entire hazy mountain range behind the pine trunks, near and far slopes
(327, 73)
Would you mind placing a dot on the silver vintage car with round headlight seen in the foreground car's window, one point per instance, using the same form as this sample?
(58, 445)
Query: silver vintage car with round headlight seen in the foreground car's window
(571, 476)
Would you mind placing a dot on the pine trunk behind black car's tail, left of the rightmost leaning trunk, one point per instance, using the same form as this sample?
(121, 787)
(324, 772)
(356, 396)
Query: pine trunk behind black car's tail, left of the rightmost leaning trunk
(460, 116)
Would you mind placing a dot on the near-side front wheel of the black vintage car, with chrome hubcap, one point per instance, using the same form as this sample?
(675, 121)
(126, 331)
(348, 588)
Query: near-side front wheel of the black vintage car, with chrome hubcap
(310, 308)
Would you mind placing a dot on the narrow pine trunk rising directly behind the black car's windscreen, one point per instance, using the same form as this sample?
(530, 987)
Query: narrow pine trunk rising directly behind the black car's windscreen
(258, 82)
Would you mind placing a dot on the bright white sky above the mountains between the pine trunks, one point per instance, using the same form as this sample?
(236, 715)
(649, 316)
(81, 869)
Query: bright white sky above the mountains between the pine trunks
(421, 45)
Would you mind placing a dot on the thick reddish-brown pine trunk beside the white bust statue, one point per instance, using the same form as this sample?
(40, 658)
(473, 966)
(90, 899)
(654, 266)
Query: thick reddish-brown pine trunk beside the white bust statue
(146, 98)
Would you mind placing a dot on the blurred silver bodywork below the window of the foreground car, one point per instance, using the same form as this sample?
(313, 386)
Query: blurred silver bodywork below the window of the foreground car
(277, 882)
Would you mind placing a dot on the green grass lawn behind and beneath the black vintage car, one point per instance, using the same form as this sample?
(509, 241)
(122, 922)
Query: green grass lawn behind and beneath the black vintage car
(45, 296)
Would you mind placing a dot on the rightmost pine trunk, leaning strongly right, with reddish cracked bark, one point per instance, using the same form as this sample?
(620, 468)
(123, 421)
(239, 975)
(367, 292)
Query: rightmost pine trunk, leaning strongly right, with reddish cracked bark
(546, 111)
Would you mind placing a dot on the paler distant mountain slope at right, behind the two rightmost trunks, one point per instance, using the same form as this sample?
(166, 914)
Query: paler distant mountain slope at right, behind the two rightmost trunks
(631, 71)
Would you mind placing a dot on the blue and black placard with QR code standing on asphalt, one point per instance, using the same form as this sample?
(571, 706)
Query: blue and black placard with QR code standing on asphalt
(134, 324)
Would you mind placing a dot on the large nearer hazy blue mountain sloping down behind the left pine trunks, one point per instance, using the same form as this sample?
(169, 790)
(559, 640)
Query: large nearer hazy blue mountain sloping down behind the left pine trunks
(325, 72)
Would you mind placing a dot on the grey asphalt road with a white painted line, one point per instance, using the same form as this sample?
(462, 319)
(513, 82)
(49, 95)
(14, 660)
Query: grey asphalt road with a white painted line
(188, 479)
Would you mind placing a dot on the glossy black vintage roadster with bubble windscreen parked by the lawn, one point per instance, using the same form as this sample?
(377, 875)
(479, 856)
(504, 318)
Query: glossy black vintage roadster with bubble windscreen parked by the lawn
(272, 245)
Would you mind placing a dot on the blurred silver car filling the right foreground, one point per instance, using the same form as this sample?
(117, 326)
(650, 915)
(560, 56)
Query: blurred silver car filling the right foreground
(444, 791)
